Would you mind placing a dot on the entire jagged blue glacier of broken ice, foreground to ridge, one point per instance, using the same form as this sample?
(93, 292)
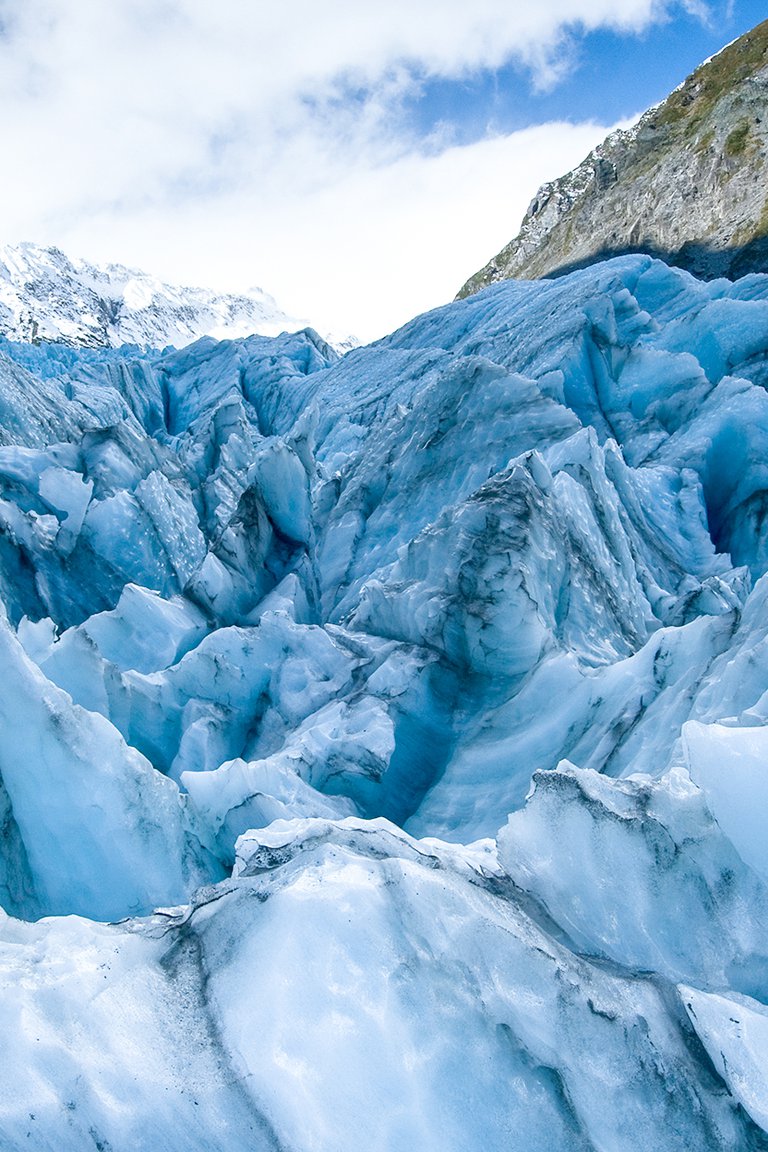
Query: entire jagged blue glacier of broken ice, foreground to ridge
(285, 634)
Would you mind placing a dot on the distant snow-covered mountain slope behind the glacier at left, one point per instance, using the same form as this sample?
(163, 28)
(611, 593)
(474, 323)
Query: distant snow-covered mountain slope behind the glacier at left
(44, 295)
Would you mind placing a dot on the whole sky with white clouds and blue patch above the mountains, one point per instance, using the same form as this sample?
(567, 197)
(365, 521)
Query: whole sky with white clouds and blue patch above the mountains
(359, 161)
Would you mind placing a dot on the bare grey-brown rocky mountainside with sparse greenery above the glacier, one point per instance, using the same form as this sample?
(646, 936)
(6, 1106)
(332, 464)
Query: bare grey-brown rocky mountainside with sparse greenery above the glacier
(687, 184)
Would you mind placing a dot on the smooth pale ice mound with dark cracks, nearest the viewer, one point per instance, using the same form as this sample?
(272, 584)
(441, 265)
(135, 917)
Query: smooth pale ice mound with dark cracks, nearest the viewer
(355, 989)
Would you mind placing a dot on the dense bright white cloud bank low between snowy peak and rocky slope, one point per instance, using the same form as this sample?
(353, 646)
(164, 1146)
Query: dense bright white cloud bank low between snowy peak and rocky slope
(367, 249)
